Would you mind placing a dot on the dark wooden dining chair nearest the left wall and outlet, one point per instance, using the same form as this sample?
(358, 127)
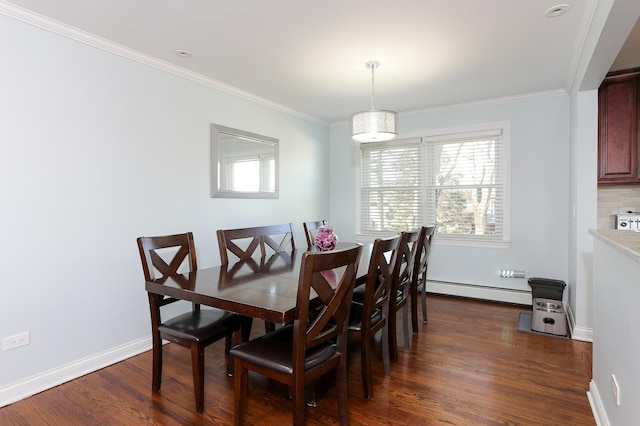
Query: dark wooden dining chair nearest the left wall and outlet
(195, 329)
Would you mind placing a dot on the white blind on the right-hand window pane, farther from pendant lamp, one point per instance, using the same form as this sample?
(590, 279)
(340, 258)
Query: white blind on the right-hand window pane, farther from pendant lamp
(465, 185)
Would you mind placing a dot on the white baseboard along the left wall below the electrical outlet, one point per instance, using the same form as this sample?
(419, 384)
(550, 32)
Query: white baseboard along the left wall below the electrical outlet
(49, 379)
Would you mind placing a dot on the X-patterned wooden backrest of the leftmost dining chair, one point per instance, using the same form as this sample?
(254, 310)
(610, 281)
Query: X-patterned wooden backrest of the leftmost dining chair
(179, 249)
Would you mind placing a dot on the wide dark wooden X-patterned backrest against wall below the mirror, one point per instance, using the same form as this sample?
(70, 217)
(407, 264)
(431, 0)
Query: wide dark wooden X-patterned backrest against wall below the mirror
(258, 236)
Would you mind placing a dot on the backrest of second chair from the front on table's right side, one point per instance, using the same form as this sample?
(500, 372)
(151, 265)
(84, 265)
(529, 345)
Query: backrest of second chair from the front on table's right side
(380, 276)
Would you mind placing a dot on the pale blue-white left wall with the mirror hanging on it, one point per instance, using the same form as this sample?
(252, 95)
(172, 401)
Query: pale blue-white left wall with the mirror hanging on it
(97, 150)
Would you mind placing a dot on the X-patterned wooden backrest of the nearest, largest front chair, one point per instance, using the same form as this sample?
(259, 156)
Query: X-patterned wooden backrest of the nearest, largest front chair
(331, 275)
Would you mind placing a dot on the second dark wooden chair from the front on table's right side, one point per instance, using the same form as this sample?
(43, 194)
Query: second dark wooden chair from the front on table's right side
(371, 315)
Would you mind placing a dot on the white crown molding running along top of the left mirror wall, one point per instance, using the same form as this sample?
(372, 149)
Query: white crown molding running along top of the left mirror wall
(24, 15)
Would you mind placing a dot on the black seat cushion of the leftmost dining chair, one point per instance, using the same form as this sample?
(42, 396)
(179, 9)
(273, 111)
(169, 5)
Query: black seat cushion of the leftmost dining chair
(202, 325)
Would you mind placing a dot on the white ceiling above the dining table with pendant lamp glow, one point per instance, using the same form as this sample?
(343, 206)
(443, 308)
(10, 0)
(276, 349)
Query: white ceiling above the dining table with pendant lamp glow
(310, 57)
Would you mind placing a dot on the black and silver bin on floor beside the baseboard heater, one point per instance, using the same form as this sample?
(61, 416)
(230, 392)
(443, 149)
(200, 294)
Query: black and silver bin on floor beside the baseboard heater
(548, 310)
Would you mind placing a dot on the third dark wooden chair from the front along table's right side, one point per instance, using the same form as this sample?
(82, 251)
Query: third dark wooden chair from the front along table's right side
(407, 249)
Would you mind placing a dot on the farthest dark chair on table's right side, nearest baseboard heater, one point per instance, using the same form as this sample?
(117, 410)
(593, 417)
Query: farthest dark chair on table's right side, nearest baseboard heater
(419, 276)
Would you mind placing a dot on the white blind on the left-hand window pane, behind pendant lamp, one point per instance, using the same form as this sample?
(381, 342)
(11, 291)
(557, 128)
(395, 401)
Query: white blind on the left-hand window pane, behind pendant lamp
(391, 196)
